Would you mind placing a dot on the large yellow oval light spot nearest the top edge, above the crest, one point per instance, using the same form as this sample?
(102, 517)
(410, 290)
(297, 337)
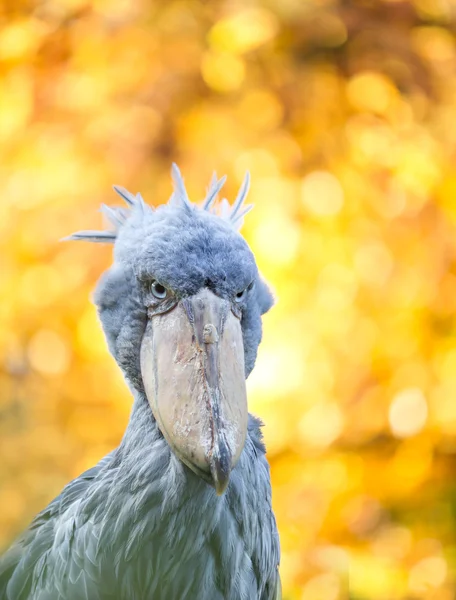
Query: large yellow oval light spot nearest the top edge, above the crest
(244, 31)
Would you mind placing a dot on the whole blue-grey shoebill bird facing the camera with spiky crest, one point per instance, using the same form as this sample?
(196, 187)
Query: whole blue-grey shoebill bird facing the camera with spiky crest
(181, 509)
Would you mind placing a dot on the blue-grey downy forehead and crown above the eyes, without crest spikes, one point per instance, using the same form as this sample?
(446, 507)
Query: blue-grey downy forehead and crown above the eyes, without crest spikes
(184, 249)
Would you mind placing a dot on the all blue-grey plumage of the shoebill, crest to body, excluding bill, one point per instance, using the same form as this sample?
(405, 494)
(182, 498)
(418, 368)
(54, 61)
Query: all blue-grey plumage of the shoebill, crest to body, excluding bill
(141, 524)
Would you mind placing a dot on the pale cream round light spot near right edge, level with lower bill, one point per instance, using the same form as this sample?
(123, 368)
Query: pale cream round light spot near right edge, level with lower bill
(408, 413)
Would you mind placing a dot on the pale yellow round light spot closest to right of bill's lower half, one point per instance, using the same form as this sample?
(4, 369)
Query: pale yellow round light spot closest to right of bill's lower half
(322, 424)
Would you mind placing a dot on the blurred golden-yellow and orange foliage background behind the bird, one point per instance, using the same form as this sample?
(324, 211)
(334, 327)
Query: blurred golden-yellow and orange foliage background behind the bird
(345, 114)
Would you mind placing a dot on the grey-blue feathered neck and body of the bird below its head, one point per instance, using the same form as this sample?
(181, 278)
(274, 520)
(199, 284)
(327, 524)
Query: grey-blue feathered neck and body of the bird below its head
(113, 533)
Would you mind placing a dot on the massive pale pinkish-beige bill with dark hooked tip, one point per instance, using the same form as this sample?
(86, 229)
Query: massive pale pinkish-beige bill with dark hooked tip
(192, 365)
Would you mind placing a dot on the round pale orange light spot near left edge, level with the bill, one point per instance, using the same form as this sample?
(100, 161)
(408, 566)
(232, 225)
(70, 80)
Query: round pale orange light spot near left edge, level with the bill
(48, 353)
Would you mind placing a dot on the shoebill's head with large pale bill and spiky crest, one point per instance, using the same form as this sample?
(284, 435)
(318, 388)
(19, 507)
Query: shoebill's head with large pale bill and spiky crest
(181, 309)
